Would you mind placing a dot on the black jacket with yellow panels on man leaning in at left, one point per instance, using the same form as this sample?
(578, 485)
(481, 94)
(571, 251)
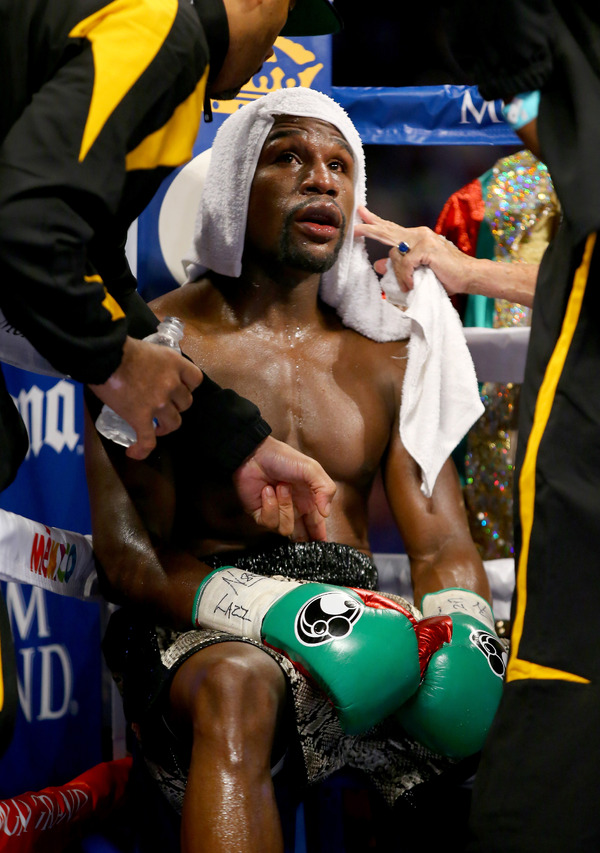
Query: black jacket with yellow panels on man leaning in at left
(99, 102)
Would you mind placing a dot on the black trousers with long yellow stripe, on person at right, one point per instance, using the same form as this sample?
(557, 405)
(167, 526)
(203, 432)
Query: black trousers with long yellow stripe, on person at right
(538, 783)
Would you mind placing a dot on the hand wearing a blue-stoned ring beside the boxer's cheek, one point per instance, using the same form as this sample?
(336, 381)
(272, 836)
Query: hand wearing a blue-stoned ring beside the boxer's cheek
(427, 248)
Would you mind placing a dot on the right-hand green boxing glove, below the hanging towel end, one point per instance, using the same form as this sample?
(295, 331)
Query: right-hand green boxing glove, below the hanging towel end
(453, 709)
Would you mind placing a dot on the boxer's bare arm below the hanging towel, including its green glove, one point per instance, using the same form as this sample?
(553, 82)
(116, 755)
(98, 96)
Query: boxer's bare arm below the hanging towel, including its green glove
(462, 677)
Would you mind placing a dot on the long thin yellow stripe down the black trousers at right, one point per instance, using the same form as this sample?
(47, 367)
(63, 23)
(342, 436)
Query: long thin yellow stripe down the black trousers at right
(517, 668)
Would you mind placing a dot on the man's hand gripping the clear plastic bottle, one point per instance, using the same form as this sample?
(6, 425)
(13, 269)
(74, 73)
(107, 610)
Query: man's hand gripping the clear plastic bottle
(151, 383)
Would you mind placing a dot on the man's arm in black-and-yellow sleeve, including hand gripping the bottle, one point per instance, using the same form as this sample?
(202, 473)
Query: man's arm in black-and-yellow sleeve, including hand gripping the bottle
(75, 164)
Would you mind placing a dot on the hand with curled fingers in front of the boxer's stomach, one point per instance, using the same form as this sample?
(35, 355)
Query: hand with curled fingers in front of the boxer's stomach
(285, 491)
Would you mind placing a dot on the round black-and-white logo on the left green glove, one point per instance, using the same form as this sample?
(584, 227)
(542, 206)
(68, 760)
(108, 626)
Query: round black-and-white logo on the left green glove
(327, 617)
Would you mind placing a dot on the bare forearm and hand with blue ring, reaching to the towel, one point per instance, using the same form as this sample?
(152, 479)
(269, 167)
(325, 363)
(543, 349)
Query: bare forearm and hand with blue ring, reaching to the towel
(458, 272)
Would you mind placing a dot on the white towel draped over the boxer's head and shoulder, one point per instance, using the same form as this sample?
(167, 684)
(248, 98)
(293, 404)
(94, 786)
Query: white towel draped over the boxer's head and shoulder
(440, 398)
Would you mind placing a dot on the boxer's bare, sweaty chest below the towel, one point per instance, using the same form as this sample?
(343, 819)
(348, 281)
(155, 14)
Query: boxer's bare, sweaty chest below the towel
(322, 394)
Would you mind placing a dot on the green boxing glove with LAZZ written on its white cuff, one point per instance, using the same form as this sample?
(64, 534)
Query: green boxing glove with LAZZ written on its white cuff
(359, 647)
